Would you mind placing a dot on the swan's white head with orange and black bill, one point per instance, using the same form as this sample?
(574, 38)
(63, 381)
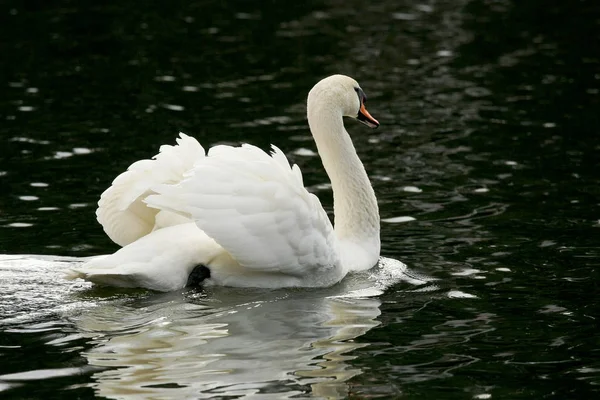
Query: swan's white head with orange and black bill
(340, 92)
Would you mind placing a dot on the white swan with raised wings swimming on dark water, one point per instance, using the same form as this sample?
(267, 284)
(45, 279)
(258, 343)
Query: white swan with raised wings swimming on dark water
(238, 216)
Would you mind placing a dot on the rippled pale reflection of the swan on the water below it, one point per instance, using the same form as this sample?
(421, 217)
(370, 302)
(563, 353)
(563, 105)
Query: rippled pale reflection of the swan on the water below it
(182, 347)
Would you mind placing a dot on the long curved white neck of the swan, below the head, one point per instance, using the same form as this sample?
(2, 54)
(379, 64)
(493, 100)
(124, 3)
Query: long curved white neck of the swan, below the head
(354, 202)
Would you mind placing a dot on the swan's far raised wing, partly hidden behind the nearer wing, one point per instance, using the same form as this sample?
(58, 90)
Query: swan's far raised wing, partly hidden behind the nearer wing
(121, 210)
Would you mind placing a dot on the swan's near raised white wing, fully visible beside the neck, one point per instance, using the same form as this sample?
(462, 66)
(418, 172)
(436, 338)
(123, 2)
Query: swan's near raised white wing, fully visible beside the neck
(255, 206)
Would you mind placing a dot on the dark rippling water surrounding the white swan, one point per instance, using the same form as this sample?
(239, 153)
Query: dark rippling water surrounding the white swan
(490, 118)
